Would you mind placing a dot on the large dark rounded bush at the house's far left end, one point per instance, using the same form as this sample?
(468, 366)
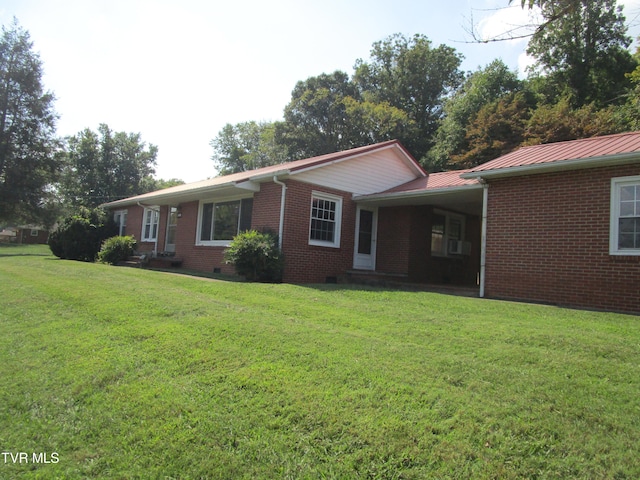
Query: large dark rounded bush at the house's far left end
(80, 236)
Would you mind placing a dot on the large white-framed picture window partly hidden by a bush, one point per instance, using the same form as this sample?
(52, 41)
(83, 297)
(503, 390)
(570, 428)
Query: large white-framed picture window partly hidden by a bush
(219, 222)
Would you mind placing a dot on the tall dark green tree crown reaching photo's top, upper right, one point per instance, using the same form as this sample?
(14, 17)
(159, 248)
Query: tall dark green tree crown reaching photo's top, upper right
(583, 52)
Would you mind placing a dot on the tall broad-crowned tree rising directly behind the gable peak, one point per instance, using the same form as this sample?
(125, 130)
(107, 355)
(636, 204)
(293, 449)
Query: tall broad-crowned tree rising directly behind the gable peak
(411, 75)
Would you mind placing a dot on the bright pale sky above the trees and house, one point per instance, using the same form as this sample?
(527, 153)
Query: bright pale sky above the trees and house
(178, 71)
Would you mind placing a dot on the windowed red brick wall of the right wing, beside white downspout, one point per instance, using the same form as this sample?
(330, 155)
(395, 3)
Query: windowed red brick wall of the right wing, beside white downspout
(548, 241)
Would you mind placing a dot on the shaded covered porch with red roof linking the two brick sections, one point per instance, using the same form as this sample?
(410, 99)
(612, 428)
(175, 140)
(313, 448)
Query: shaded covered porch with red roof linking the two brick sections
(427, 232)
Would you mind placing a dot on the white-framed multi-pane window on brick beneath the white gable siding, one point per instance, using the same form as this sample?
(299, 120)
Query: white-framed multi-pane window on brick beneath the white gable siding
(326, 216)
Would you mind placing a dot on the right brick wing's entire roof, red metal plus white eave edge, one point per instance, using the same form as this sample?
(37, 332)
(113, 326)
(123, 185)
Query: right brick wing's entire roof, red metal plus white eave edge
(574, 154)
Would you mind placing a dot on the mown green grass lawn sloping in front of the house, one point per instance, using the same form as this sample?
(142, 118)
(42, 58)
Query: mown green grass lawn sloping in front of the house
(128, 373)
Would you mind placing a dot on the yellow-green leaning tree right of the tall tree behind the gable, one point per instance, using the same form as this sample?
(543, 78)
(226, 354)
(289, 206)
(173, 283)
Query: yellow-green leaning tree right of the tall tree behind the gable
(479, 89)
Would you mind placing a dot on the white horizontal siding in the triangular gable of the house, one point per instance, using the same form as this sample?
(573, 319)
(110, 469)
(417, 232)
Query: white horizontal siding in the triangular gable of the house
(371, 173)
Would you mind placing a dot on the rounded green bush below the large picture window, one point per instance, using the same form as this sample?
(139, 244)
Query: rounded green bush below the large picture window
(256, 256)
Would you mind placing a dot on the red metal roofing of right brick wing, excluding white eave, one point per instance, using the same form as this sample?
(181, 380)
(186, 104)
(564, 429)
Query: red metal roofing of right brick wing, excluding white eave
(596, 147)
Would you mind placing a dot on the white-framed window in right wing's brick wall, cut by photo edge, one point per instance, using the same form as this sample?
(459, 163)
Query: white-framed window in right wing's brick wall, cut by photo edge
(625, 216)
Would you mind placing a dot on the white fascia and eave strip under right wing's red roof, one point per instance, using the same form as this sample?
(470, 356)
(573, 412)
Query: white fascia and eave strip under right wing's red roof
(558, 166)
